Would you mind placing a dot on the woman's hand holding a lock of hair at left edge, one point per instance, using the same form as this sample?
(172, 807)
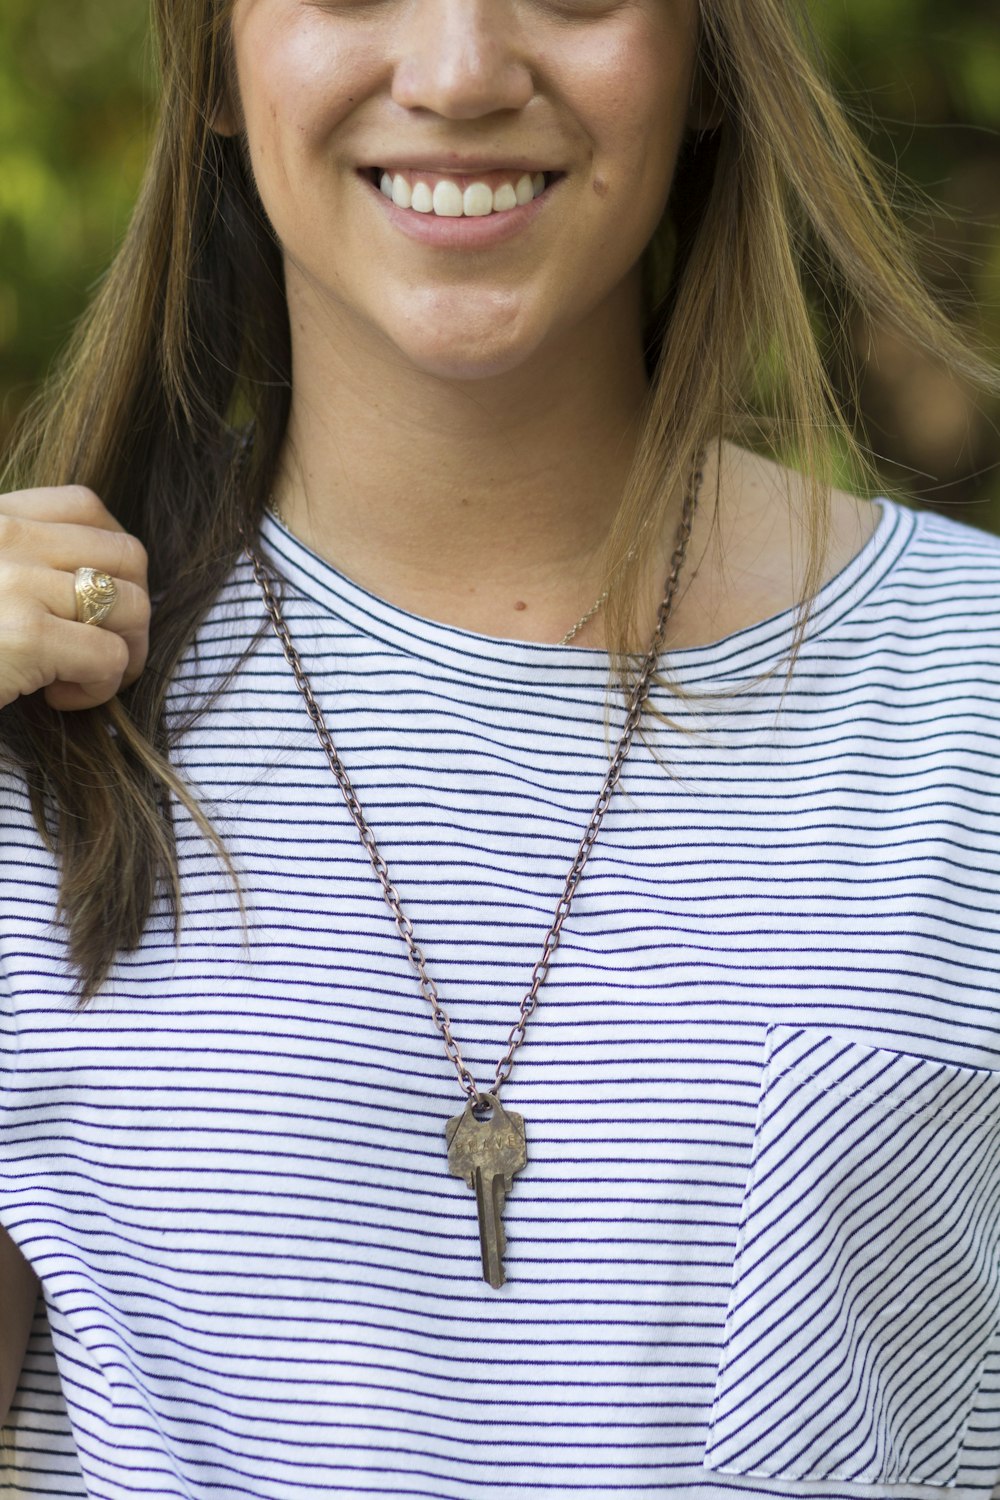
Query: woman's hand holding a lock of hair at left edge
(46, 535)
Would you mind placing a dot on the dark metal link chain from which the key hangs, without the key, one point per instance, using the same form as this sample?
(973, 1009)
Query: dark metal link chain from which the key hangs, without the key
(404, 926)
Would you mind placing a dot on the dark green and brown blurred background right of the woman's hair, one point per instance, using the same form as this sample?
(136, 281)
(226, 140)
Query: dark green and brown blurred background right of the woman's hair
(923, 82)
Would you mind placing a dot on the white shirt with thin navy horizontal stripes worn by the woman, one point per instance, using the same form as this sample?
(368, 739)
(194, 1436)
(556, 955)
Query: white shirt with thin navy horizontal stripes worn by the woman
(756, 1247)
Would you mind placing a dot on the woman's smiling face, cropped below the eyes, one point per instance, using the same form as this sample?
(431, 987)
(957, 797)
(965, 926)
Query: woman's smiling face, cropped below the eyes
(457, 107)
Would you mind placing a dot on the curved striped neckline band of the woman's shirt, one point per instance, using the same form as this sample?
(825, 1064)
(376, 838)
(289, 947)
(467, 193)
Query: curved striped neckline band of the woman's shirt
(749, 652)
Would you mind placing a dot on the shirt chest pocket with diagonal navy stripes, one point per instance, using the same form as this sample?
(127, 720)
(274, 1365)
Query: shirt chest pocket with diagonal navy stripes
(867, 1273)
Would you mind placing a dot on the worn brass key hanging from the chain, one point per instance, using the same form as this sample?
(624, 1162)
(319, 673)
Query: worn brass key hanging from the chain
(488, 1154)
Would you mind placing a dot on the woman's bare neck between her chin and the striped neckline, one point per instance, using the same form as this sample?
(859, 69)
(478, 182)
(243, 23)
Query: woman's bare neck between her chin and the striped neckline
(478, 503)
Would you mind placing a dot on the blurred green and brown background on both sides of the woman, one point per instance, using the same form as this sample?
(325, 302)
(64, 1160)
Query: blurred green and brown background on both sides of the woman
(923, 79)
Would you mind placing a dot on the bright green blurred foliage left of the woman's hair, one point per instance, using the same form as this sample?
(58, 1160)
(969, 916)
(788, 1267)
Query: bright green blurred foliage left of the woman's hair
(76, 106)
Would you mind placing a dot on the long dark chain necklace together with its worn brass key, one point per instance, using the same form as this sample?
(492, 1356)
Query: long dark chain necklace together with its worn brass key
(488, 1144)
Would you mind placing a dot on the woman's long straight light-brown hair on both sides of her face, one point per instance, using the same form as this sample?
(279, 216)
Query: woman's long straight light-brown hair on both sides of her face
(187, 346)
